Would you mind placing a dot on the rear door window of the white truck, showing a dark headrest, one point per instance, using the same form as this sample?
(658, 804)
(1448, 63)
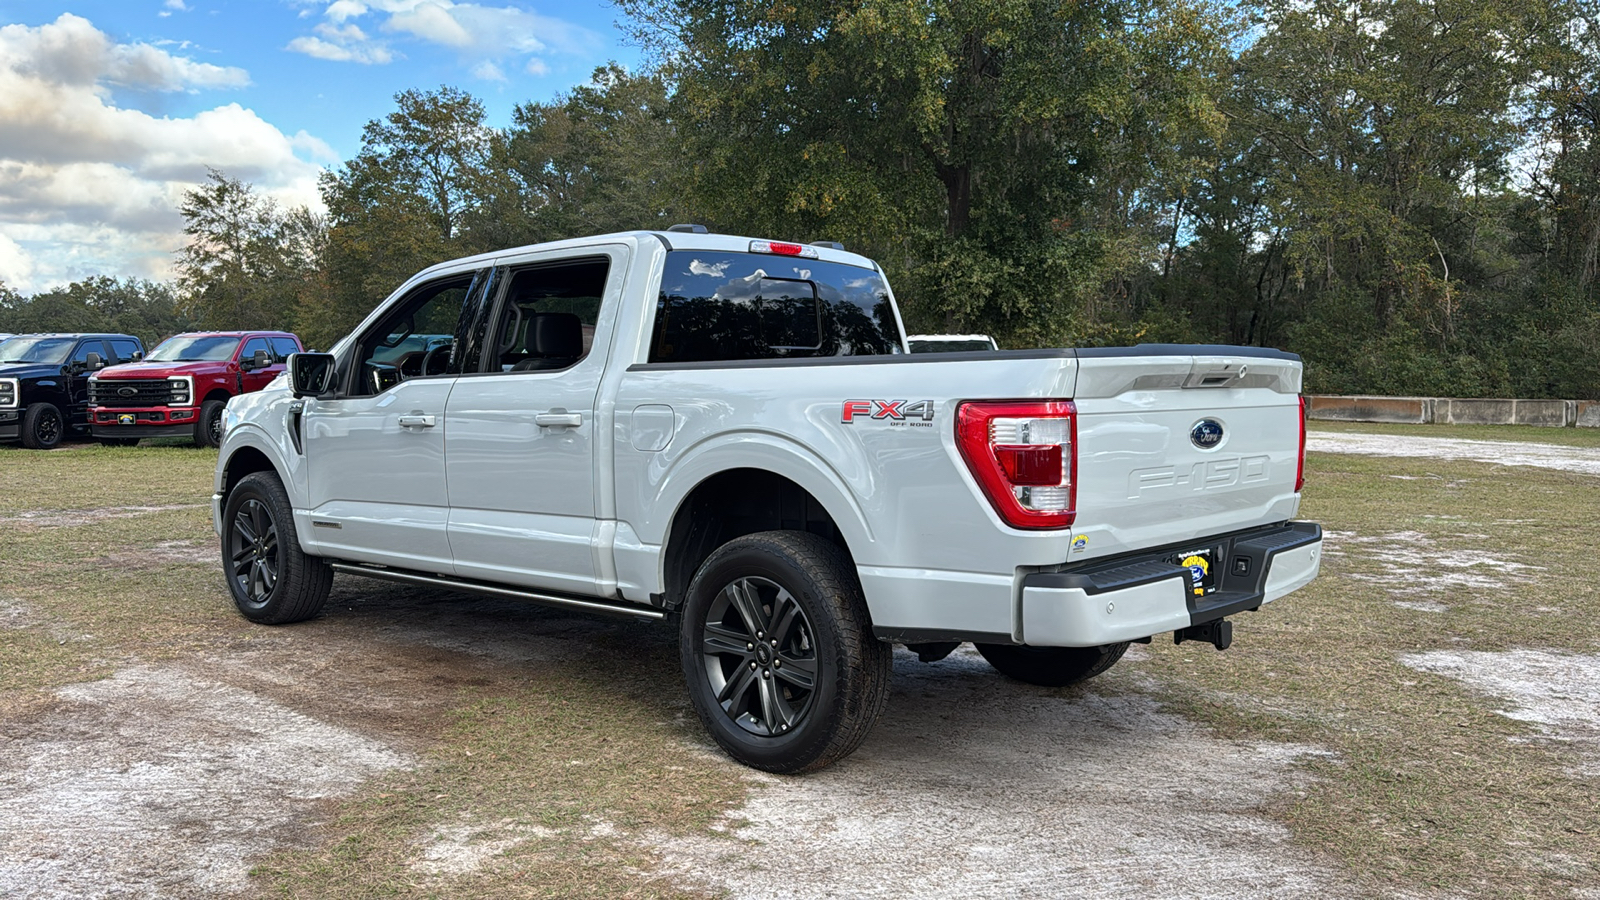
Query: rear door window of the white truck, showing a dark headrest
(548, 315)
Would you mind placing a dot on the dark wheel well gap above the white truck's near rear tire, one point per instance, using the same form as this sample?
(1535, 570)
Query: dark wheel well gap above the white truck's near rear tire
(730, 505)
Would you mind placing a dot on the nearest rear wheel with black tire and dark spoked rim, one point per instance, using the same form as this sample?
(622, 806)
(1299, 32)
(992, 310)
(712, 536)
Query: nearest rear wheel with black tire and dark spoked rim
(778, 653)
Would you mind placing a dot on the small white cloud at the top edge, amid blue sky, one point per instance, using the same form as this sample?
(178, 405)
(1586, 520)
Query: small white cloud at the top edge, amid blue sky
(481, 34)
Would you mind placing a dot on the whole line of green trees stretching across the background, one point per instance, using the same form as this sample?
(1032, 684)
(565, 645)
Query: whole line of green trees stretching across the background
(1407, 193)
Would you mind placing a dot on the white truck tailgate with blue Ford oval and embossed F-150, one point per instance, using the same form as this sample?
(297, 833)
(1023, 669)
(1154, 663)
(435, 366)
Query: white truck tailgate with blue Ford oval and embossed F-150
(1182, 443)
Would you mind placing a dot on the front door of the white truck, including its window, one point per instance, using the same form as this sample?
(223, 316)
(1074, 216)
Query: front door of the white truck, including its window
(375, 454)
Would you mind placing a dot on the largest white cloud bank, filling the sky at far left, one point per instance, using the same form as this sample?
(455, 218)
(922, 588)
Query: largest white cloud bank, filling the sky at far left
(92, 188)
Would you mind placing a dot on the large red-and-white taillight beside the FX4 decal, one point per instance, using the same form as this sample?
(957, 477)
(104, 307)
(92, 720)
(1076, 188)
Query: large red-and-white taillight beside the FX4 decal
(1025, 459)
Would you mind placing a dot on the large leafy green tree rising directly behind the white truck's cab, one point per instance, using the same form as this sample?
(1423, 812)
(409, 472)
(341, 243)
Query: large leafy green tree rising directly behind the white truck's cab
(991, 155)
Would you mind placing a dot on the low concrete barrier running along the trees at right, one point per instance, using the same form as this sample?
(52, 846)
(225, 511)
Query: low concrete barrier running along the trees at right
(1455, 411)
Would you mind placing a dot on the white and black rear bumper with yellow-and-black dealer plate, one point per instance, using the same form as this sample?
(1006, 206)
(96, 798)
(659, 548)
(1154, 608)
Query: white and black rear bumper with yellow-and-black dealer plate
(1140, 595)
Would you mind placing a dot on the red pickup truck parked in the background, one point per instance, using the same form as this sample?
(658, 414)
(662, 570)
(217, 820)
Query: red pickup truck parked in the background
(182, 388)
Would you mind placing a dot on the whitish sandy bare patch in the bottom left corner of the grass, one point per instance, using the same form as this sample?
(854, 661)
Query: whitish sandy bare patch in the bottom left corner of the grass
(154, 784)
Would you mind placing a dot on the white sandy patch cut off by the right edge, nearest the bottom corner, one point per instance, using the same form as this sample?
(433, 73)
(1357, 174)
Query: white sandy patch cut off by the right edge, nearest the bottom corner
(1558, 693)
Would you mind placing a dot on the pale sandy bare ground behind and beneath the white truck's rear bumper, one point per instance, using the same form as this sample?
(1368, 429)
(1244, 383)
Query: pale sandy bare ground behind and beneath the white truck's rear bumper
(977, 787)
